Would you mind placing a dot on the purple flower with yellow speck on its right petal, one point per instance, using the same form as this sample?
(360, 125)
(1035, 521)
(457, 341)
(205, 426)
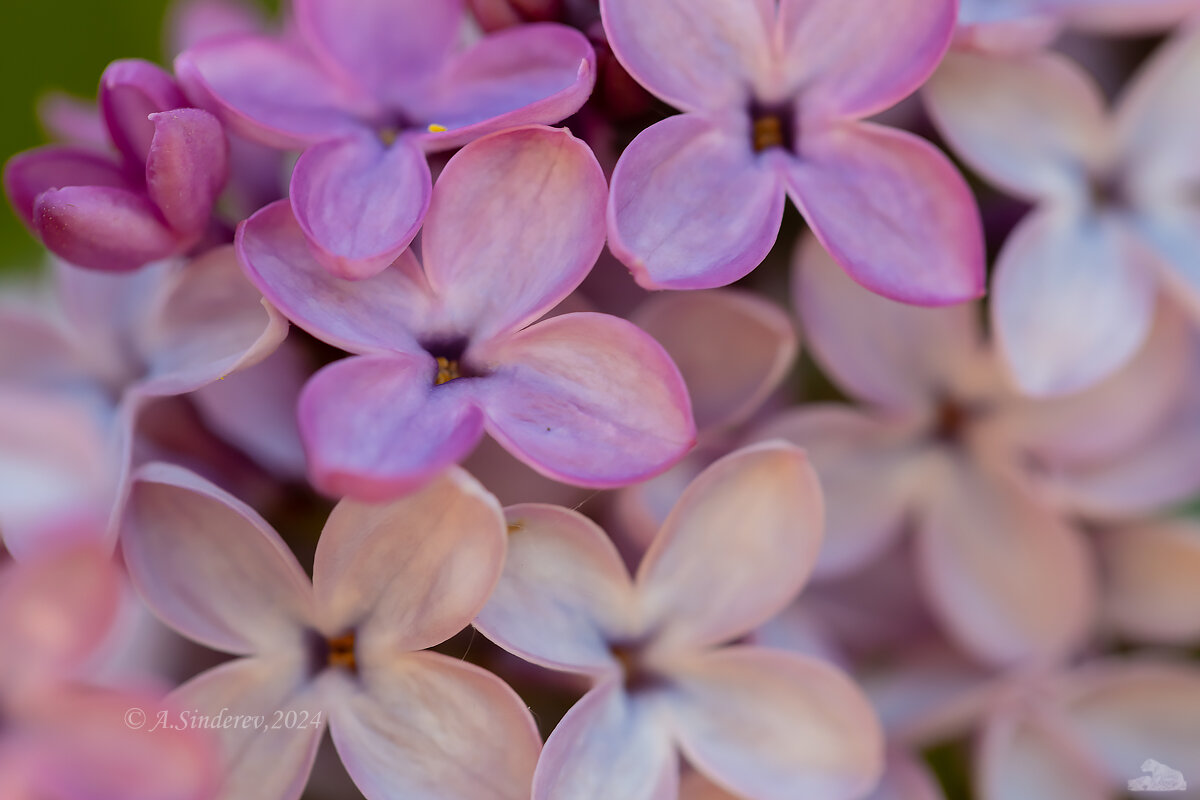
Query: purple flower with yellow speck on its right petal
(368, 94)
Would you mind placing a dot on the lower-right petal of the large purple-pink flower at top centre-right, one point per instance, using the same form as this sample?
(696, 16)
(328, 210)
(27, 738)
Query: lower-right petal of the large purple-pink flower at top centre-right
(892, 210)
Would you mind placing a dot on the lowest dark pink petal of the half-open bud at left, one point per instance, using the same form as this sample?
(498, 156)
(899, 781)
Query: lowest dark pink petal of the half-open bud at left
(103, 228)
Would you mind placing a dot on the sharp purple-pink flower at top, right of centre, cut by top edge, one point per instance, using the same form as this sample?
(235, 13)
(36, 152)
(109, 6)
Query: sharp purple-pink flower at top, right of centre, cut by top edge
(772, 103)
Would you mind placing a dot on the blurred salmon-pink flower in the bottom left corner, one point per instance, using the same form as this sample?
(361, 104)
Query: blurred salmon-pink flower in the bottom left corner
(62, 739)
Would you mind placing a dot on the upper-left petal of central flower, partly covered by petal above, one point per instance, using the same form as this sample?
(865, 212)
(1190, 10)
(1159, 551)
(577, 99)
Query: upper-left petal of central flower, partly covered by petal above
(377, 315)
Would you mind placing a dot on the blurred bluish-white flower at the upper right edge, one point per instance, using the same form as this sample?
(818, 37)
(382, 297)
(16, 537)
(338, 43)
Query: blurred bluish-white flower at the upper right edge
(1078, 282)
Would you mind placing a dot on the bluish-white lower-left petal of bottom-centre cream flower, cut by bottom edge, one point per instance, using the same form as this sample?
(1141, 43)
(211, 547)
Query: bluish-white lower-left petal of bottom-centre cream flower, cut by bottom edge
(609, 745)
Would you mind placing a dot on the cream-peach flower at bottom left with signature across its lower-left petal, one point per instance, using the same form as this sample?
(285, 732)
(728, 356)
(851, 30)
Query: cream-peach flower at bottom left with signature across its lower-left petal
(346, 649)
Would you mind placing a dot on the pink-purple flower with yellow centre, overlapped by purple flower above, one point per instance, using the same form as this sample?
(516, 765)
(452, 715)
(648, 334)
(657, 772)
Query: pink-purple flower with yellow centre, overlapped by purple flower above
(448, 351)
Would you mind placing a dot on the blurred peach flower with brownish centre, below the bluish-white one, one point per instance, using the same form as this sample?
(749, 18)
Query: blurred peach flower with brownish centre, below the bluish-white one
(944, 446)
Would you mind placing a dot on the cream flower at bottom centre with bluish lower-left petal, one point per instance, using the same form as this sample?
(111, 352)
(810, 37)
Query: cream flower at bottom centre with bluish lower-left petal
(763, 723)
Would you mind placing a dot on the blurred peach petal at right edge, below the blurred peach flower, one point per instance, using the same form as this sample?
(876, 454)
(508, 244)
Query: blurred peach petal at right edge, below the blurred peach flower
(1153, 580)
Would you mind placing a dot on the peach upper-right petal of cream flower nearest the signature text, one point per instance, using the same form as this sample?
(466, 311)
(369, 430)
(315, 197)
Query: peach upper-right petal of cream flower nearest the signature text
(413, 573)
